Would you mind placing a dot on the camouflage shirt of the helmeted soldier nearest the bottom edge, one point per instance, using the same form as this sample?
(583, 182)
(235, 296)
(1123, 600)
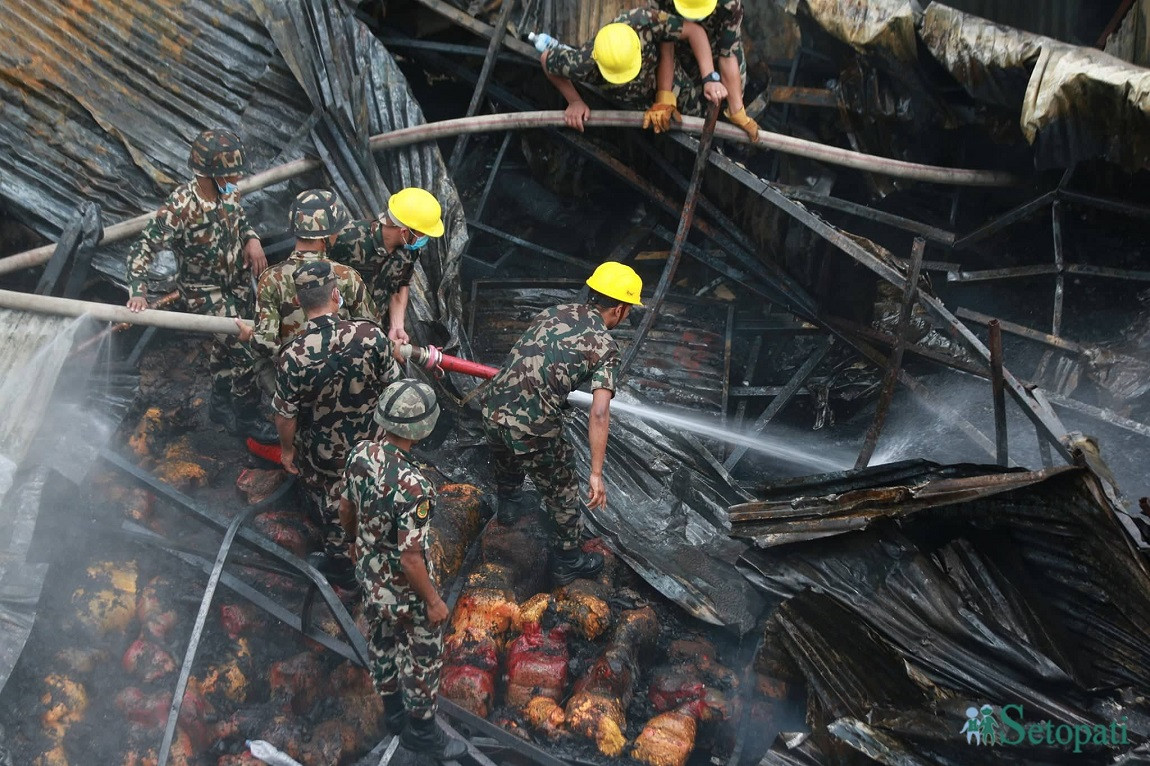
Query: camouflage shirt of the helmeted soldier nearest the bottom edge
(392, 497)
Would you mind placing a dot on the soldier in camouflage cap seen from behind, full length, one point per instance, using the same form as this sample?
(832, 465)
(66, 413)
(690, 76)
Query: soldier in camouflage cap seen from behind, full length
(328, 381)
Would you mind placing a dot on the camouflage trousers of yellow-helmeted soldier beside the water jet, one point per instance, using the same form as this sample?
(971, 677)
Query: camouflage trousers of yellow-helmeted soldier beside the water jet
(551, 469)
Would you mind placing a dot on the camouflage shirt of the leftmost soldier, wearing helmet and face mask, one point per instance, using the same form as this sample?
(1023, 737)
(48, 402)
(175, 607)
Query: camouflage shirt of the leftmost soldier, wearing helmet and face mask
(208, 239)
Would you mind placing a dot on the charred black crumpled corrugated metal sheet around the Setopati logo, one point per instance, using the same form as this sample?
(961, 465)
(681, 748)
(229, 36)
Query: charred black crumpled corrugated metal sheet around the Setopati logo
(1032, 598)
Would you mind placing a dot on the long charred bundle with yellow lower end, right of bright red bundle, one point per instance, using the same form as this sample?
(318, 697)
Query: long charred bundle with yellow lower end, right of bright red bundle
(596, 710)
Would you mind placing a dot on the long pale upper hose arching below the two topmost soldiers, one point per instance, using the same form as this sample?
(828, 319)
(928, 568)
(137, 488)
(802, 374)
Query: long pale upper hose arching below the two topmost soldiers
(599, 119)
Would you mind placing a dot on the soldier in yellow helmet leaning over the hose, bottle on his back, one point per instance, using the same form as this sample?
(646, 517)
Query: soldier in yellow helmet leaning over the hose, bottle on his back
(625, 62)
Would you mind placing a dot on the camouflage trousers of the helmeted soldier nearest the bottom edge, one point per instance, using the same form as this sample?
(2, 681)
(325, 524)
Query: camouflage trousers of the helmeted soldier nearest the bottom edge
(407, 652)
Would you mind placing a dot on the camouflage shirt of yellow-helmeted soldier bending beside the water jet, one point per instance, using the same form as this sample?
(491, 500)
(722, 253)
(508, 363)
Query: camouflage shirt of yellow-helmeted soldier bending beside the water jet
(564, 348)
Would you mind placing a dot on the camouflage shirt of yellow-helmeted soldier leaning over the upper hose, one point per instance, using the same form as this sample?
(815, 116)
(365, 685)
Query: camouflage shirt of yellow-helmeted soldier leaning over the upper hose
(654, 27)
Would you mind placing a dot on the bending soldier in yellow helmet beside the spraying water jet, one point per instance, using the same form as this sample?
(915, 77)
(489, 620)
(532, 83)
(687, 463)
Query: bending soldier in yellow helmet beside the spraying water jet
(524, 407)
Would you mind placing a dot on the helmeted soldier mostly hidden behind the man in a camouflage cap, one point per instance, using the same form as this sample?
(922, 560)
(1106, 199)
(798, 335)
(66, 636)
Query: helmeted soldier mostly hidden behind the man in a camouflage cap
(316, 220)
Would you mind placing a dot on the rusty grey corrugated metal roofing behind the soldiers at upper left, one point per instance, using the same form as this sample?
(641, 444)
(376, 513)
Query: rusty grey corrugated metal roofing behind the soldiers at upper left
(102, 99)
